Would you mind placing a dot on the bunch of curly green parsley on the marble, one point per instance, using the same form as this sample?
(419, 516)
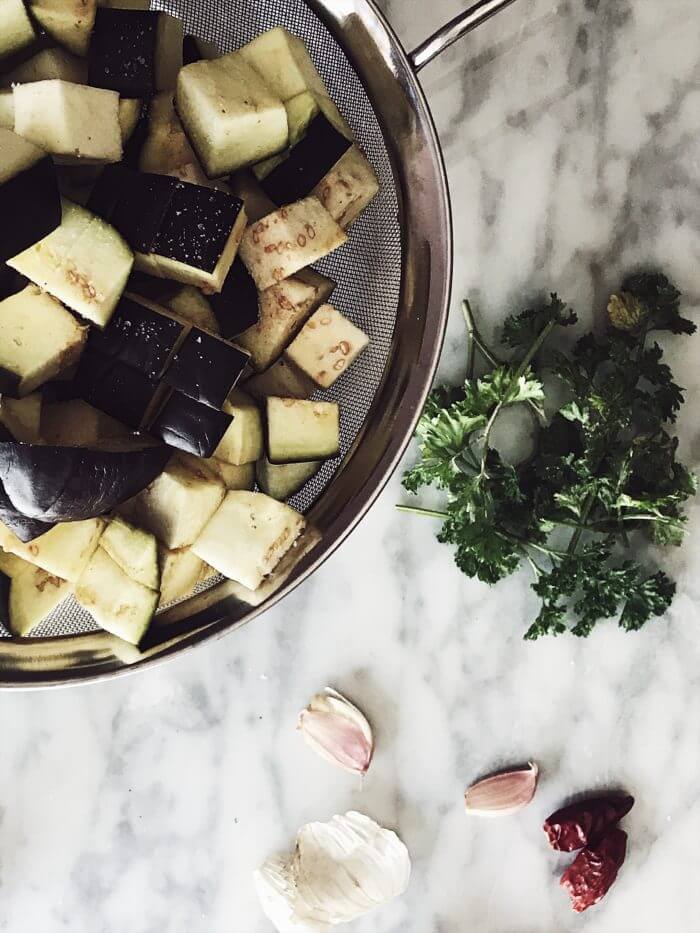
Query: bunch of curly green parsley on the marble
(605, 468)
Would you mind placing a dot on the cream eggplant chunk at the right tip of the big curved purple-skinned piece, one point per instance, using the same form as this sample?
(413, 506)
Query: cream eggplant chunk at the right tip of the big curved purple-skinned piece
(176, 506)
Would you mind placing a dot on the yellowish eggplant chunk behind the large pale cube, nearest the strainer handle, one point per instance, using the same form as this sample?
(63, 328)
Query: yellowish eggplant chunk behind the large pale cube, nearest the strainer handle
(284, 63)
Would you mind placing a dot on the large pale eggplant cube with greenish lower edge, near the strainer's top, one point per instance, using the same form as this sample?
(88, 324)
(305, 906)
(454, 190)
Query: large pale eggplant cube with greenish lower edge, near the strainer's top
(229, 113)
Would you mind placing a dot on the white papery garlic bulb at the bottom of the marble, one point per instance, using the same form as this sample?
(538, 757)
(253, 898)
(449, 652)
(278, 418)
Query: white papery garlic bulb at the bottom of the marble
(339, 871)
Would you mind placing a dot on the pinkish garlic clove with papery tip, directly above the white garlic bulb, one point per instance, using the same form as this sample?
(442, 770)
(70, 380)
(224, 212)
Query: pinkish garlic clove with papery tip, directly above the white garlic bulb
(337, 731)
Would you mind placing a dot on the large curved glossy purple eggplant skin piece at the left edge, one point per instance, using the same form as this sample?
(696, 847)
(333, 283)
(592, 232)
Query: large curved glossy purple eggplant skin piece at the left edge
(64, 484)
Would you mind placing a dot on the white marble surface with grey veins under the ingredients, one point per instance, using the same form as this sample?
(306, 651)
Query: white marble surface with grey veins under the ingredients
(142, 806)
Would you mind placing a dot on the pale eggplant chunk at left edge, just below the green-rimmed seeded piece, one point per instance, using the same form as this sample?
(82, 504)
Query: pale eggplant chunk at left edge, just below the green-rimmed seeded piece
(38, 338)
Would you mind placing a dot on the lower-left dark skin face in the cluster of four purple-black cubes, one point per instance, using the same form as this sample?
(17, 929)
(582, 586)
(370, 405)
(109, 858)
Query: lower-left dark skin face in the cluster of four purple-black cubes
(116, 389)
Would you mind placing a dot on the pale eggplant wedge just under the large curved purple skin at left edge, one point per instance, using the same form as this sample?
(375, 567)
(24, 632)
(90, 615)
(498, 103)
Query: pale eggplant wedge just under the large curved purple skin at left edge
(63, 551)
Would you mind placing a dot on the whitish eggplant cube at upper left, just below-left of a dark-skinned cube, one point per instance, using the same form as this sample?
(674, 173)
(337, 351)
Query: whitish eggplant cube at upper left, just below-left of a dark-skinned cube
(74, 121)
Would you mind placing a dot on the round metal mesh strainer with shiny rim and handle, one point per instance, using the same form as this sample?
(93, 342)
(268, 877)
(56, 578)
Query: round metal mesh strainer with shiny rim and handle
(393, 281)
